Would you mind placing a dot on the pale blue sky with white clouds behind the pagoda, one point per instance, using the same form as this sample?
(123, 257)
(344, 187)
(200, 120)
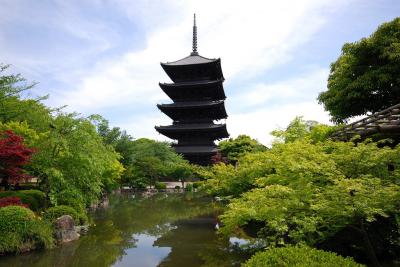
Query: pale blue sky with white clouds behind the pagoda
(102, 57)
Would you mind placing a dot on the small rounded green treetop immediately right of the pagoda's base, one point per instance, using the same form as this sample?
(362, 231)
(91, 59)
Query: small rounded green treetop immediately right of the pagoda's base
(233, 149)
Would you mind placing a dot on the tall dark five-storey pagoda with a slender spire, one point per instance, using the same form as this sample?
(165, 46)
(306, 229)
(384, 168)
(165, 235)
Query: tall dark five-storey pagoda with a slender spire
(198, 99)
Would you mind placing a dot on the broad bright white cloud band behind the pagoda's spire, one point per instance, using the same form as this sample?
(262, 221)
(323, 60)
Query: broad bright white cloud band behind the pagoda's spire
(249, 37)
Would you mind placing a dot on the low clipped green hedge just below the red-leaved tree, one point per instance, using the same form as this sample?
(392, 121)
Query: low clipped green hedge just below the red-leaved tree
(34, 198)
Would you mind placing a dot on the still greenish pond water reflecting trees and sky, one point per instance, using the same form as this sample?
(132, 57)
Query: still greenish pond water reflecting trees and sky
(161, 230)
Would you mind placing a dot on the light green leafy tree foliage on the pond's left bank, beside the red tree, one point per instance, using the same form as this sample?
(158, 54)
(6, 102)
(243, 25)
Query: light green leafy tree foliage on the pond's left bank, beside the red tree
(72, 154)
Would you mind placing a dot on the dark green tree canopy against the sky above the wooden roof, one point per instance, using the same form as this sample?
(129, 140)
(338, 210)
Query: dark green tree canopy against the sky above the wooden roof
(366, 76)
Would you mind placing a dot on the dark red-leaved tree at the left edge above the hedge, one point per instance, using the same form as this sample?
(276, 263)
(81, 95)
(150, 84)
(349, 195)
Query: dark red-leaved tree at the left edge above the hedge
(13, 156)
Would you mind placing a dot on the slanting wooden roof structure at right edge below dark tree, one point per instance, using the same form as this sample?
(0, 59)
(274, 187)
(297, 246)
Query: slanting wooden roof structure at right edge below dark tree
(385, 123)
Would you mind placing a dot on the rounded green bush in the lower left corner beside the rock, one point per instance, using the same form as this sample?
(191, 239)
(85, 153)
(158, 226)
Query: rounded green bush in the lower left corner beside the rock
(21, 230)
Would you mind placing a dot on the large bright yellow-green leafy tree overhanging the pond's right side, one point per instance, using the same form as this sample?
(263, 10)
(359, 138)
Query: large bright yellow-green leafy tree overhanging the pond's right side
(307, 193)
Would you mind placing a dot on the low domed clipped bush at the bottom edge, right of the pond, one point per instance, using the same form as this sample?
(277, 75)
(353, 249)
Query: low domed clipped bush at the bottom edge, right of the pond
(299, 256)
